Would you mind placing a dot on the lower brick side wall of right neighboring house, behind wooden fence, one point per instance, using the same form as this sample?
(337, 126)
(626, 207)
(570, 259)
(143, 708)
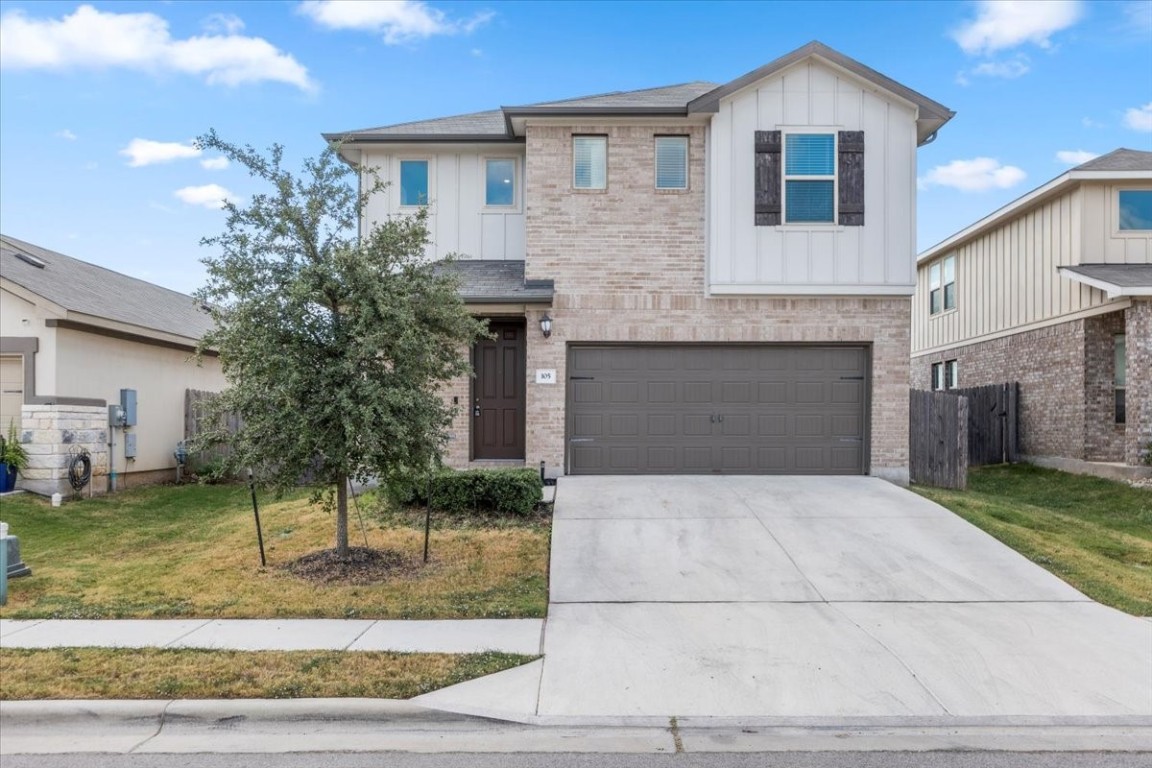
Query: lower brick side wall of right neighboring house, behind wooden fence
(1049, 364)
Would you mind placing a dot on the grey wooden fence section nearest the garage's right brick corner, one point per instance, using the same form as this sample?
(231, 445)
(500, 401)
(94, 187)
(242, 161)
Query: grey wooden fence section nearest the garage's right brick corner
(938, 439)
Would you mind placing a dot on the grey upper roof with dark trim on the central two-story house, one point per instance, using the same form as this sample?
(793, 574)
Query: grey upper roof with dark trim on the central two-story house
(683, 101)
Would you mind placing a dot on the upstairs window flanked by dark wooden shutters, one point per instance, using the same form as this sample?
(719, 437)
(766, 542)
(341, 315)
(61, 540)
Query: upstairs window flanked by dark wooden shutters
(810, 178)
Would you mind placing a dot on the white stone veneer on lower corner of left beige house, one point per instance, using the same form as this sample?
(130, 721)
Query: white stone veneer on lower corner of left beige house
(51, 434)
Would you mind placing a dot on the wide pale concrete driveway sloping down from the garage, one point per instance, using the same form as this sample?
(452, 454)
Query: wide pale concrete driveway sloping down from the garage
(806, 600)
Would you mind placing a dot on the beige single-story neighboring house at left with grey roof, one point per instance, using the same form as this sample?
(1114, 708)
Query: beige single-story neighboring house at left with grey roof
(72, 337)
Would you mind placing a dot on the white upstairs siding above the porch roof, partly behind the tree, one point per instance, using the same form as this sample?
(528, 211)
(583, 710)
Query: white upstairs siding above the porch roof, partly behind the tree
(459, 222)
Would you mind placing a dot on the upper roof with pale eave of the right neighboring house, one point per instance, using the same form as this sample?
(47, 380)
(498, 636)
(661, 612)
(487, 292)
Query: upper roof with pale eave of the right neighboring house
(1119, 165)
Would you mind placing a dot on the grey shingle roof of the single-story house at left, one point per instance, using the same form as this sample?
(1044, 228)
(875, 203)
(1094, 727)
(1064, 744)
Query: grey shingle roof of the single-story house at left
(94, 291)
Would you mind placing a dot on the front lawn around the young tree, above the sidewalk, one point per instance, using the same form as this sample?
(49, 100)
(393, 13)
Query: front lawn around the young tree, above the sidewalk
(192, 552)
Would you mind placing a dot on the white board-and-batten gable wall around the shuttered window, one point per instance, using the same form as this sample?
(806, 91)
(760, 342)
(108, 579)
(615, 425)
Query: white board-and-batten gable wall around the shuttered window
(878, 258)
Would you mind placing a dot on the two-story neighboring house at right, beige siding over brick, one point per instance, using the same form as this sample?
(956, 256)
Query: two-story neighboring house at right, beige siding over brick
(1055, 292)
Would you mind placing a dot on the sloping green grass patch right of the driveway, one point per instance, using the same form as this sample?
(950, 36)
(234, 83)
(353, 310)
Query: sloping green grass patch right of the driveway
(1092, 533)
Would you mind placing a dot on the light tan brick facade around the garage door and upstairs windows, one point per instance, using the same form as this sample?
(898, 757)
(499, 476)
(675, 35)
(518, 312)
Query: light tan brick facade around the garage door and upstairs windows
(630, 267)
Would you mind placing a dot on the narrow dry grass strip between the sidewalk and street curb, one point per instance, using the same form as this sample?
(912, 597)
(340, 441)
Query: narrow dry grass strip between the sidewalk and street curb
(192, 674)
